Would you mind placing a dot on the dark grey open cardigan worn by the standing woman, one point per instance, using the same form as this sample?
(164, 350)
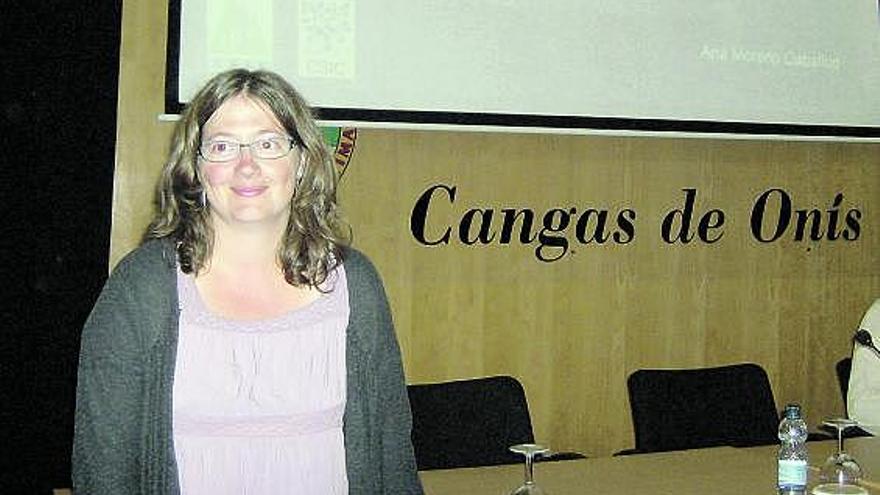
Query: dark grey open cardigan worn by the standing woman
(123, 439)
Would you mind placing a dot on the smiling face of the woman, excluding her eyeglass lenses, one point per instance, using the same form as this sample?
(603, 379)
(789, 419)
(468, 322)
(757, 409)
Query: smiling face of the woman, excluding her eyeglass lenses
(247, 190)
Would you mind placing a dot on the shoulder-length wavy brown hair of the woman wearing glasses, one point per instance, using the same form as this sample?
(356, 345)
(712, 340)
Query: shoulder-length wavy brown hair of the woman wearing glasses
(313, 242)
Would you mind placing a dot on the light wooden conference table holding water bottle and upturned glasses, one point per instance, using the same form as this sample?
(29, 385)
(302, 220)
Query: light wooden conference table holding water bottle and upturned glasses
(719, 471)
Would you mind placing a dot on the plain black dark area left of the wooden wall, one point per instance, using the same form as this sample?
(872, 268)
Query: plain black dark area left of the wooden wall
(59, 81)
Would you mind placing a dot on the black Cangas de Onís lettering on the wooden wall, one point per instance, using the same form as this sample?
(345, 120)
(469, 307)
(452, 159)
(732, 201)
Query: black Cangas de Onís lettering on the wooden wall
(772, 217)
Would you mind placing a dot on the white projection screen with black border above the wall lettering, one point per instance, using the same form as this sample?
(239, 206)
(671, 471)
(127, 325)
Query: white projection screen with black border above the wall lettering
(789, 67)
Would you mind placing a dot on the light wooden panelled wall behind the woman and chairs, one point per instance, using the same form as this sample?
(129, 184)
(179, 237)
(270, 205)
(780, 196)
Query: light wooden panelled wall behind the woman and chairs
(574, 328)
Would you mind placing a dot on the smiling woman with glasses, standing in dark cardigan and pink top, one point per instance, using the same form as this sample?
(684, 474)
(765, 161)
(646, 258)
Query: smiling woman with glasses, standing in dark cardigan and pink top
(242, 348)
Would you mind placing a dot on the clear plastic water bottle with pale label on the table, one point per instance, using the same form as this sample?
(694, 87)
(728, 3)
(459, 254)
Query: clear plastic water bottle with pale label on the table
(792, 458)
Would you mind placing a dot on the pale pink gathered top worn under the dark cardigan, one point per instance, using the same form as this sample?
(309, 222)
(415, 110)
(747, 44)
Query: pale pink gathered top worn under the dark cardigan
(258, 405)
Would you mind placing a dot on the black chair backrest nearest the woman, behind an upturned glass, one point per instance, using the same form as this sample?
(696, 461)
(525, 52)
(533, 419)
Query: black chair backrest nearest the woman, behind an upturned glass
(469, 423)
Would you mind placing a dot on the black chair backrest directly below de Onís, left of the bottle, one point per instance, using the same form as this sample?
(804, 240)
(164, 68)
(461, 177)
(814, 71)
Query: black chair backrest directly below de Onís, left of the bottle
(702, 407)
